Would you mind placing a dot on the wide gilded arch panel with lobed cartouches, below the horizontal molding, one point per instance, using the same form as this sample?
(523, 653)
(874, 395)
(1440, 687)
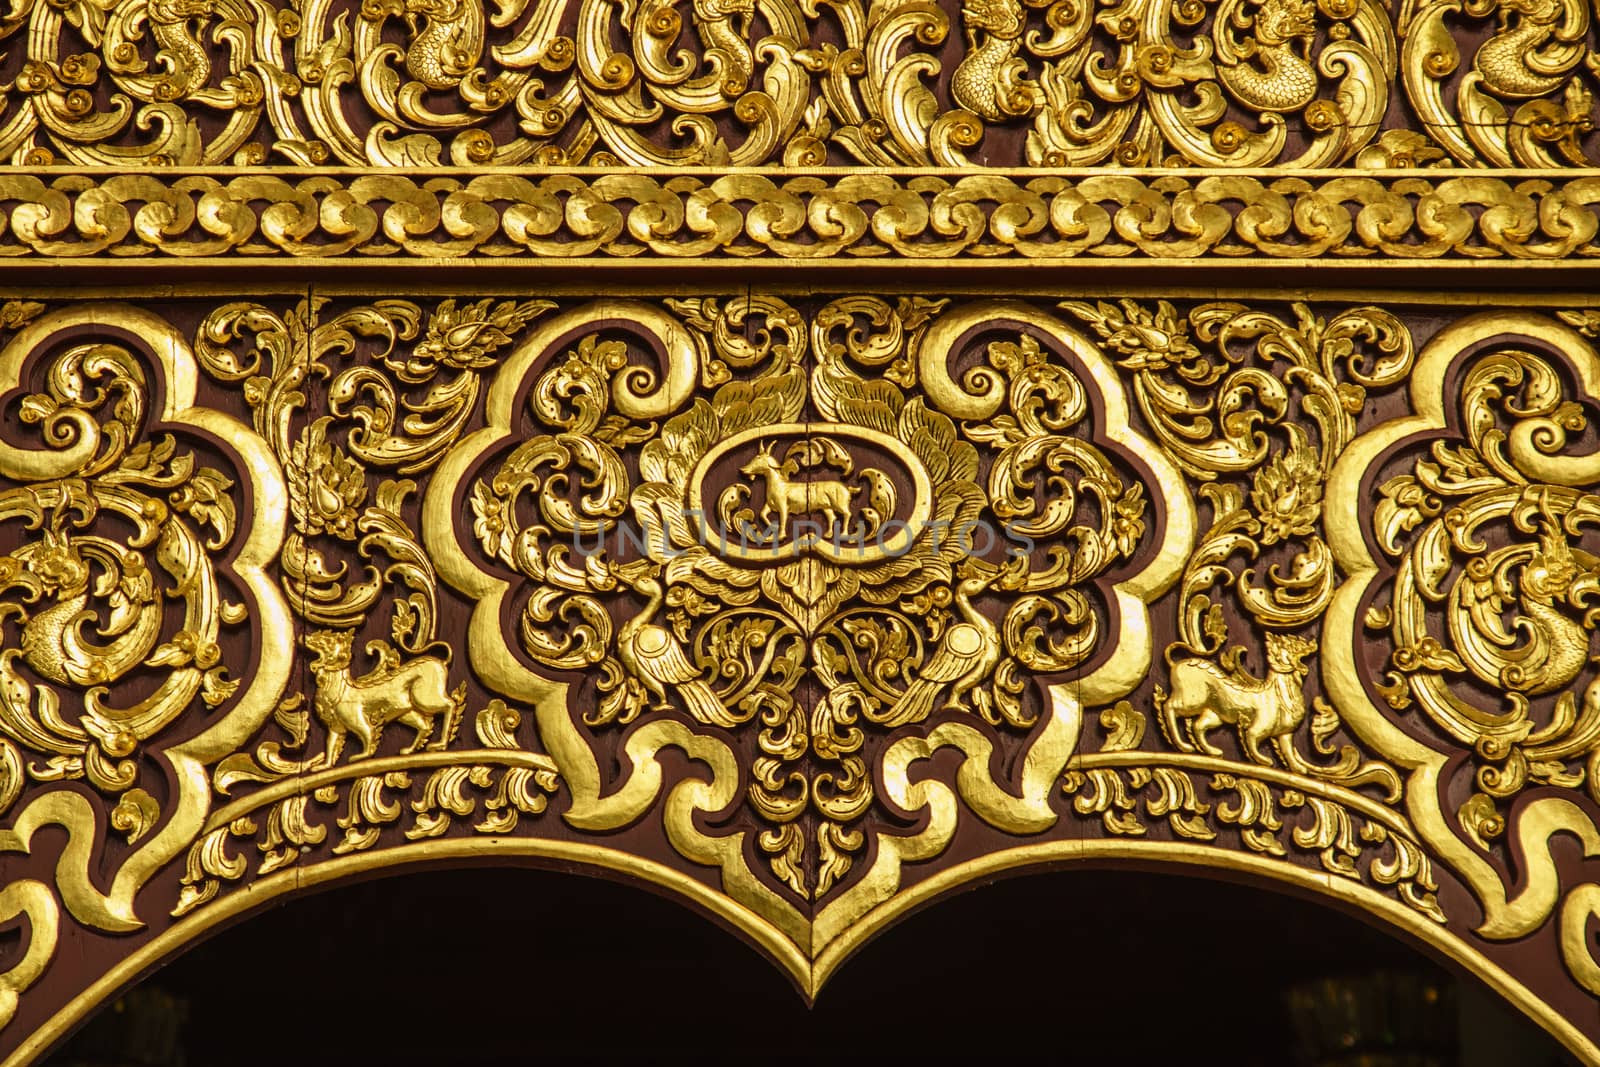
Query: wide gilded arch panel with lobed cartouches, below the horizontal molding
(764, 597)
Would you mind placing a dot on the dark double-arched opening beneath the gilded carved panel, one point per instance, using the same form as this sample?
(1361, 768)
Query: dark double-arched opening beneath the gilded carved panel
(510, 967)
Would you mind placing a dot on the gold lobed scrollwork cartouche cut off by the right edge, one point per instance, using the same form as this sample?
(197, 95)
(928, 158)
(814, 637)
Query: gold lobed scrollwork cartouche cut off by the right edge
(1471, 572)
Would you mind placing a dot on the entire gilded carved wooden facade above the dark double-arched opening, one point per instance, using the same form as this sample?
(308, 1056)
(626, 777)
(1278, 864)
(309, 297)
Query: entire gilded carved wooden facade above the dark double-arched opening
(806, 457)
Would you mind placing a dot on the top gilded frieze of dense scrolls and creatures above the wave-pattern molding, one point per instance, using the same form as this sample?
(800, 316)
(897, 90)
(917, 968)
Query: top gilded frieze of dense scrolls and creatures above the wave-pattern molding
(772, 82)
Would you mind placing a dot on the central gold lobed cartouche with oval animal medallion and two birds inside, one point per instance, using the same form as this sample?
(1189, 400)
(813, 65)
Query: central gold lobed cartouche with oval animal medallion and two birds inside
(802, 565)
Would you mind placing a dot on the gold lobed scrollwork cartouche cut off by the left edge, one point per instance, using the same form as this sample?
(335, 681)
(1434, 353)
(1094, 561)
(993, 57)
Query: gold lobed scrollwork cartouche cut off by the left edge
(137, 548)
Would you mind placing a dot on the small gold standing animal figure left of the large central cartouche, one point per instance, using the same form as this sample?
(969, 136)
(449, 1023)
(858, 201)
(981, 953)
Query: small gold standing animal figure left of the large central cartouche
(414, 693)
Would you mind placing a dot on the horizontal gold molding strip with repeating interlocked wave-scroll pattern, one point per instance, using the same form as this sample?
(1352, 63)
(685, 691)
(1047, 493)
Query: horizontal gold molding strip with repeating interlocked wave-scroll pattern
(833, 217)
